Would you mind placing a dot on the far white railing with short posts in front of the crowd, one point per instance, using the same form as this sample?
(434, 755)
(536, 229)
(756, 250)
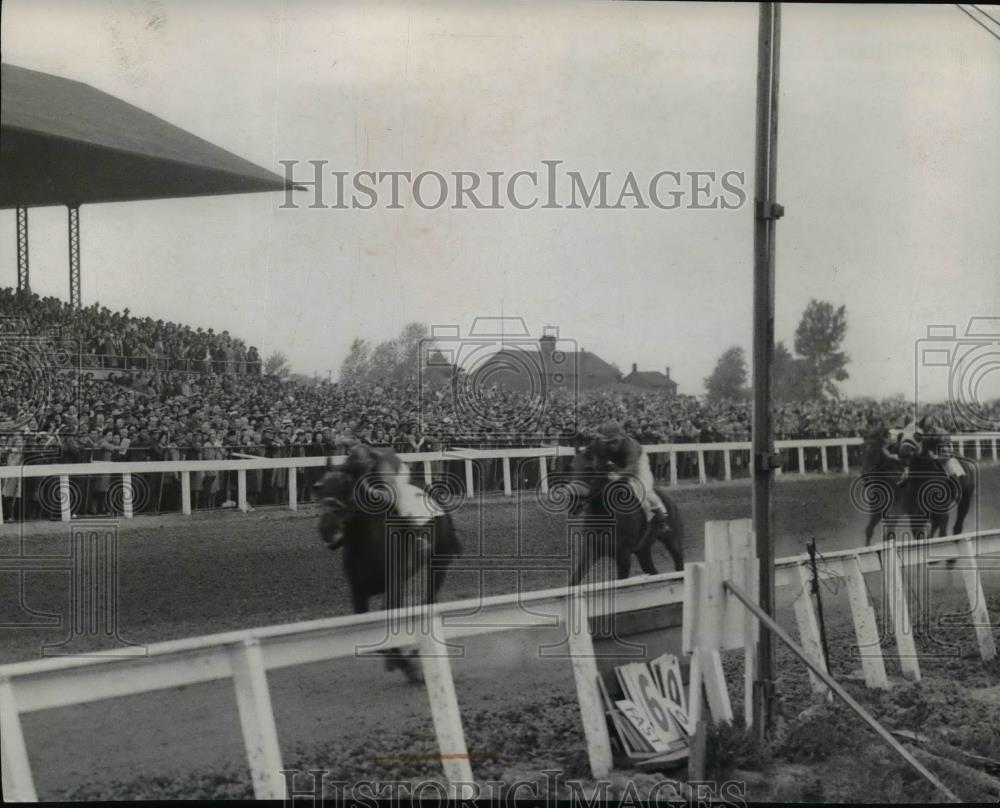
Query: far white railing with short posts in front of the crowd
(984, 447)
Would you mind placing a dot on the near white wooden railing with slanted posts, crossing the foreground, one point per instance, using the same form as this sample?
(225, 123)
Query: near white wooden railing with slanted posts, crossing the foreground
(246, 656)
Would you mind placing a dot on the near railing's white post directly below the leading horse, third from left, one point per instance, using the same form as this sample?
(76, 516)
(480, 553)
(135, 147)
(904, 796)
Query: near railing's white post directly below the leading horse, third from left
(444, 708)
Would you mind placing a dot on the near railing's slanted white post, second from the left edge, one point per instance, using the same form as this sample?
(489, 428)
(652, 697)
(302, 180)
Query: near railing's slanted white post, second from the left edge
(260, 735)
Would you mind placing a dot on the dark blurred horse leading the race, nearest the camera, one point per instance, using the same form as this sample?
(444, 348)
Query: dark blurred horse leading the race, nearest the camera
(379, 557)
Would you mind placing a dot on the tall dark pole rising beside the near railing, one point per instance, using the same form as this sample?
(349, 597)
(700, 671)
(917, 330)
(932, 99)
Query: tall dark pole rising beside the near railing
(766, 213)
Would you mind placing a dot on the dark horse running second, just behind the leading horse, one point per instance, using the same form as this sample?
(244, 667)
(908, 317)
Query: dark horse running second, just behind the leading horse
(610, 502)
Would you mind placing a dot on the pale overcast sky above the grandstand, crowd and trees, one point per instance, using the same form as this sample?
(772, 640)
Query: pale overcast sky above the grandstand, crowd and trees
(888, 169)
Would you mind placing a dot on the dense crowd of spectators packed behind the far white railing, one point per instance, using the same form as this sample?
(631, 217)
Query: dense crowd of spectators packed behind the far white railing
(223, 408)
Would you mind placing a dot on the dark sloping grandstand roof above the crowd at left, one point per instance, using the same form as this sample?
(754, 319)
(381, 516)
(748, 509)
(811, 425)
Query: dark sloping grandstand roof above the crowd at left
(63, 142)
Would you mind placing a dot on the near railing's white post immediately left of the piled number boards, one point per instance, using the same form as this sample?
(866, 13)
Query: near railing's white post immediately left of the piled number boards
(588, 694)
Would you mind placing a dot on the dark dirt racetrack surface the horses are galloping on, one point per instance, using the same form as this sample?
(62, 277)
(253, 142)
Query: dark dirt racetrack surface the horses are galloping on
(182, 577)
